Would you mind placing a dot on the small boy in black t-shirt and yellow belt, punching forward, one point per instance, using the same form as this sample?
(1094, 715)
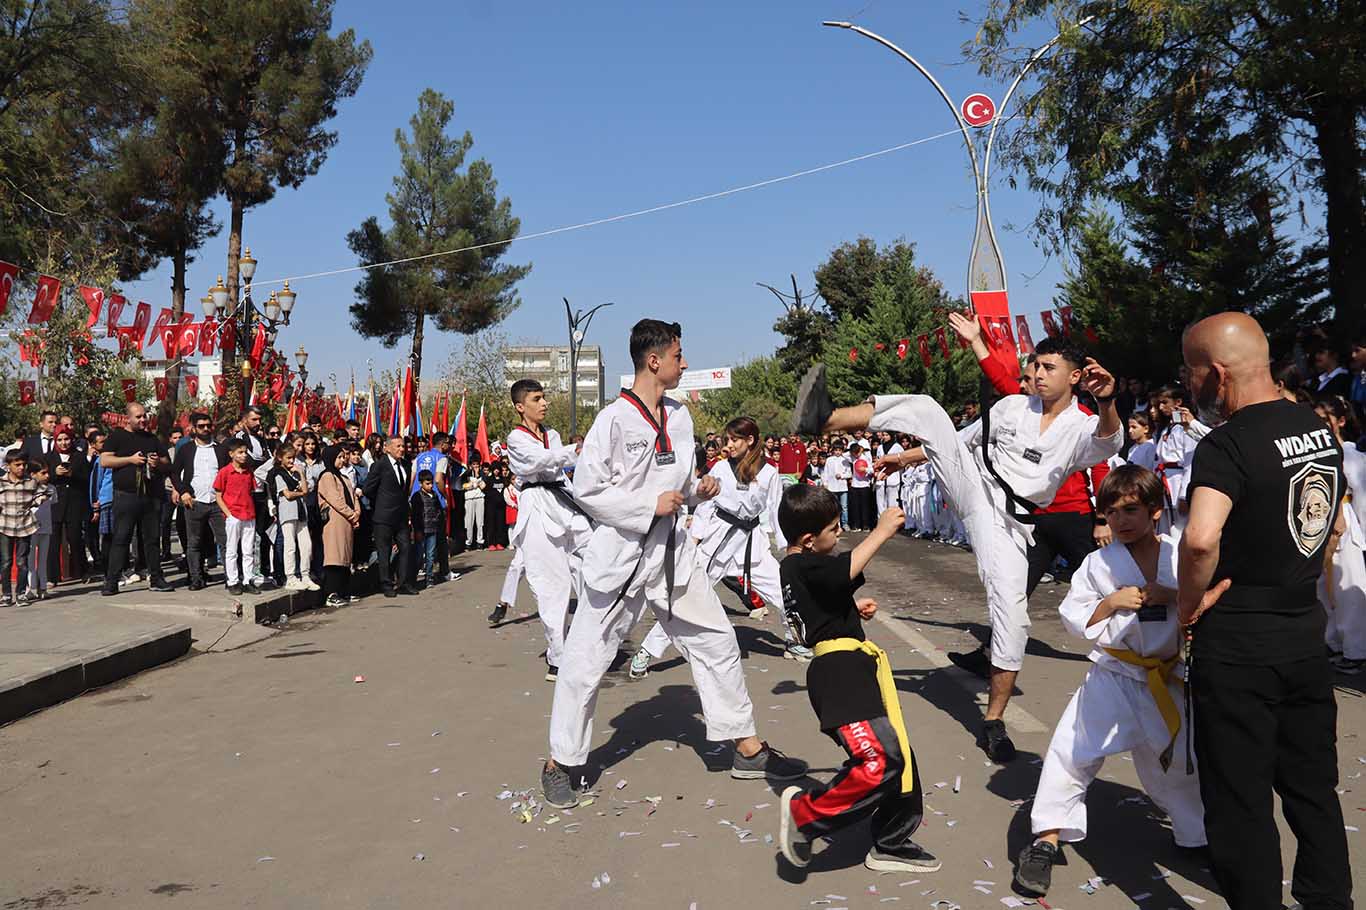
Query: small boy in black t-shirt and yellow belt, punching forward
(852, 691)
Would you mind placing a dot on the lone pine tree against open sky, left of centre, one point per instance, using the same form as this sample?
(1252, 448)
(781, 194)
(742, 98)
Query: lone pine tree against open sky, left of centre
(435, 207)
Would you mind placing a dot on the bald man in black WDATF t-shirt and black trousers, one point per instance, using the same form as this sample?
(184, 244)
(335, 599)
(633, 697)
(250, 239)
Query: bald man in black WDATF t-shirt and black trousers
(1264, 509)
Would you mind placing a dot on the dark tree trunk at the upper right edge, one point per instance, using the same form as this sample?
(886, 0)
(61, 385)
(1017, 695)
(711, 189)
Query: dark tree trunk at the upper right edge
(1335, 135)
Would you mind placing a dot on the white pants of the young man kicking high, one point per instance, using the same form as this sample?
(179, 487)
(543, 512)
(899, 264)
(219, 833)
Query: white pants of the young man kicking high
(1002, 564)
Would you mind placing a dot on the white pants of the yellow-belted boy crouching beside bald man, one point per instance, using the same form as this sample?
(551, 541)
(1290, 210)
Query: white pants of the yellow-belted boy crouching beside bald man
(1111, 715)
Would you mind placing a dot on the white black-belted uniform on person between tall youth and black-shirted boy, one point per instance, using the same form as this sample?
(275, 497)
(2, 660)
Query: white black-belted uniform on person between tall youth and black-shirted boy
(725, 529)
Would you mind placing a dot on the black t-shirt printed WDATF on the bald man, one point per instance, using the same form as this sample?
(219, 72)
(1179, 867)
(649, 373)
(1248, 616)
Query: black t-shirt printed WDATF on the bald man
(1283, 471)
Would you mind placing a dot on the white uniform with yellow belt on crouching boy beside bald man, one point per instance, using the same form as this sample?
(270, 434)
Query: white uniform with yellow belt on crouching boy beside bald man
(1130, 702)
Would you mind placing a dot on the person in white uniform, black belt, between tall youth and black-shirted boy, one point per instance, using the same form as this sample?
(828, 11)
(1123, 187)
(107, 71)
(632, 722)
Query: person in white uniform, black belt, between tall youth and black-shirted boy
(730, 542)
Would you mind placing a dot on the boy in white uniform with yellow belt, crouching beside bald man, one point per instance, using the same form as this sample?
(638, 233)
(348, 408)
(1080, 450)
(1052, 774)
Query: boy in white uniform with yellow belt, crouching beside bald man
(1122, 601)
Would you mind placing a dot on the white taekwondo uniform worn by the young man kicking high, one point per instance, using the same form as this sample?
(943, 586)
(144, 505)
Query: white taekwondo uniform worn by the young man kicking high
(1033, 464)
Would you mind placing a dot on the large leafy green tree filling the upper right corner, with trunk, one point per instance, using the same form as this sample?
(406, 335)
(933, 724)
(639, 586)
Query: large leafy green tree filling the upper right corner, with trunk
(1134, 87)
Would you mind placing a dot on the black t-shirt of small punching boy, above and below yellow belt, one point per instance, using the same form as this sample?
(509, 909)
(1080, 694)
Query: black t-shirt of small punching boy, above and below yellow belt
(819, 601)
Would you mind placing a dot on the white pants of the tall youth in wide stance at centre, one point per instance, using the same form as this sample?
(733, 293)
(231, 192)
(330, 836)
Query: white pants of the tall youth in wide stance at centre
(598, 632)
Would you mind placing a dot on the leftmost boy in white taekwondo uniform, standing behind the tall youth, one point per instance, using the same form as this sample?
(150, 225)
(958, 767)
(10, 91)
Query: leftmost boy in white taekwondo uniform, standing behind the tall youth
(551, 529)
